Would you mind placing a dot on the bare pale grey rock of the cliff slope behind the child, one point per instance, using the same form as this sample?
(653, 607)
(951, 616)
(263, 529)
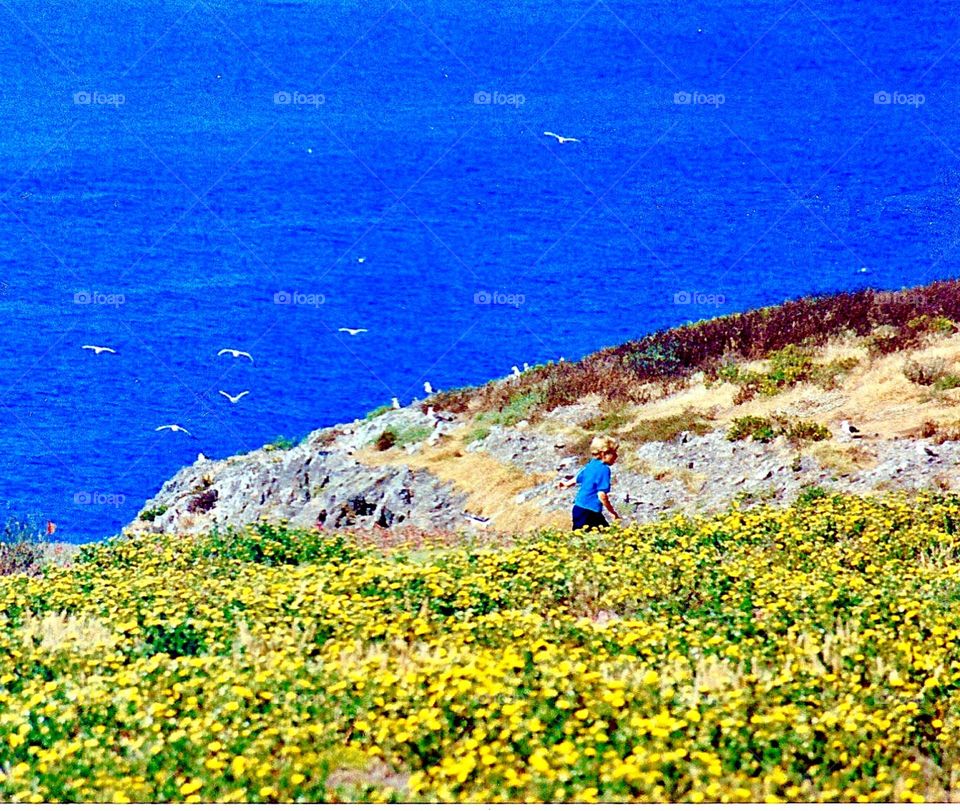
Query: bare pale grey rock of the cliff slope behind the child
(322, 482)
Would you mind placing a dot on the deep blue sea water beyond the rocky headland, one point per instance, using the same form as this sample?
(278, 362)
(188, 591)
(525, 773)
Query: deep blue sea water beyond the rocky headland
(157, 197)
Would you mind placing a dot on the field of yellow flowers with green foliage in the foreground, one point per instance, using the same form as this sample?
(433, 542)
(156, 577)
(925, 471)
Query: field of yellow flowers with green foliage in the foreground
(808, 653)
